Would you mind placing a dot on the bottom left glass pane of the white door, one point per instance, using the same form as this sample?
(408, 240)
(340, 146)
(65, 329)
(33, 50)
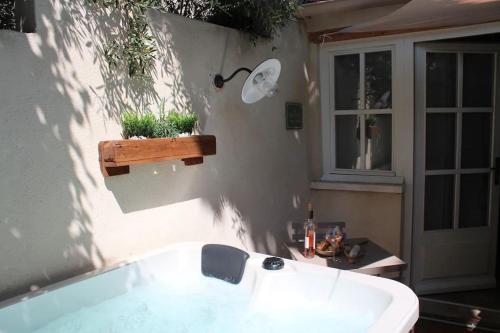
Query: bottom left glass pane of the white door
(438, 213)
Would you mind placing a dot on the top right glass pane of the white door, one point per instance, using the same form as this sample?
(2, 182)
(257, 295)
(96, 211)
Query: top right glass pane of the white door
(478, 80)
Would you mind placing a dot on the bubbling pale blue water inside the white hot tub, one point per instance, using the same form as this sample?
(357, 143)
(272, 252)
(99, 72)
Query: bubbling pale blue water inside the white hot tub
(221, 308)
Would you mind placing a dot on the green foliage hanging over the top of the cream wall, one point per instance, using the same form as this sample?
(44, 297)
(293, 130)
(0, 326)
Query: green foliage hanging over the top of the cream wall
(135, 47)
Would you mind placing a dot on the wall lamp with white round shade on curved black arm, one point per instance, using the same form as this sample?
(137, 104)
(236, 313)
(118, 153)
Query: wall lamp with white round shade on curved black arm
(262, 81)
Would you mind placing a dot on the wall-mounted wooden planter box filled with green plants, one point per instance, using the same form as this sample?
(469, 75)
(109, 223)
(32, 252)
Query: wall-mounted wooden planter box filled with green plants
(149, 138)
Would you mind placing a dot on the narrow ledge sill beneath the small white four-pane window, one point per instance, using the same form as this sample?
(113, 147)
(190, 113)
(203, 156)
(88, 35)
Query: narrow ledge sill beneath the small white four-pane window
(357, 187)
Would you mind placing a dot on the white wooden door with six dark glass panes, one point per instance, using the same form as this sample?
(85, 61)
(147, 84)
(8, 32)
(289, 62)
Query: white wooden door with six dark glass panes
(457, 135)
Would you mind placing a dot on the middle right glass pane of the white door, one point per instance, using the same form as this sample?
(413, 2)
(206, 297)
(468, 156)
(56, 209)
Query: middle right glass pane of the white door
(476, 140)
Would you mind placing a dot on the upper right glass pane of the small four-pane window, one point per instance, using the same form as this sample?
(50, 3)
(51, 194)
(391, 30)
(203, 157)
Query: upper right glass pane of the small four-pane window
(378, 80)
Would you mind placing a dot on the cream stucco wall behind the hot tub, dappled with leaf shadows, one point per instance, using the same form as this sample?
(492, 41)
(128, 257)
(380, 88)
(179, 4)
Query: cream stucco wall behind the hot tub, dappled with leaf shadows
(60, 217)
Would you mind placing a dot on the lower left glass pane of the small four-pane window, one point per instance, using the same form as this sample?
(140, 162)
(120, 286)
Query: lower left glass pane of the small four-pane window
(347, 151)
